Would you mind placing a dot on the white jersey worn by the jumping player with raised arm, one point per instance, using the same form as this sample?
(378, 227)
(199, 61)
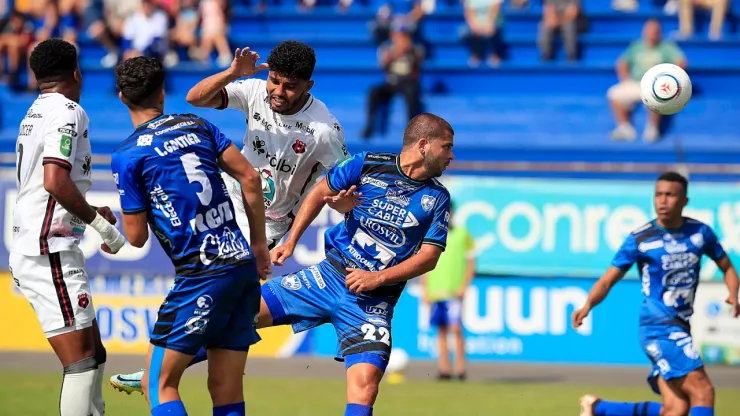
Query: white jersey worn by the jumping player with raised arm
(289, 151)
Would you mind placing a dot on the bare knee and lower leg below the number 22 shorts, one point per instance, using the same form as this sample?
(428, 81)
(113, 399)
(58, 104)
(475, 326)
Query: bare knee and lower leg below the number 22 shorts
(363, 380)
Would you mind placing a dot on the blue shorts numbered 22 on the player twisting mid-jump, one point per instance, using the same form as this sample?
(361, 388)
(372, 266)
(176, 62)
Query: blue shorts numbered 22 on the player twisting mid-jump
(317, 295)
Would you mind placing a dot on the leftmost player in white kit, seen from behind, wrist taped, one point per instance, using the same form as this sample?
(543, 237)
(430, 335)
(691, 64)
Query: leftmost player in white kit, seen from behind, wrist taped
(49, 218)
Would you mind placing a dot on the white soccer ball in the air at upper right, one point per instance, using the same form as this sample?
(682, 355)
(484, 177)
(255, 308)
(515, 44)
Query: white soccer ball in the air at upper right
(665, 89)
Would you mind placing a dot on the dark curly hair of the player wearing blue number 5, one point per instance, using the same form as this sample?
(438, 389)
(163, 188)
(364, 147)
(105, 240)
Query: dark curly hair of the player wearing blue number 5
(140, 80)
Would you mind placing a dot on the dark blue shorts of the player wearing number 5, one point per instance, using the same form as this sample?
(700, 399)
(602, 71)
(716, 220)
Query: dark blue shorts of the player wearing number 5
(215, 311)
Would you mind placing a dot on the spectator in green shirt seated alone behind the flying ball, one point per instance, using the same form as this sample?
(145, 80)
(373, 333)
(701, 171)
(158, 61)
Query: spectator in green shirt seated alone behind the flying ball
(641, 55)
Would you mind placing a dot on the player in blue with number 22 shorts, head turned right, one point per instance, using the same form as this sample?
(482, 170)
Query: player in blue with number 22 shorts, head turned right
(395, 231)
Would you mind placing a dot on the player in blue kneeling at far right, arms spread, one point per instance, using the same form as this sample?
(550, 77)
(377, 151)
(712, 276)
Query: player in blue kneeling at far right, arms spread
(668, 252)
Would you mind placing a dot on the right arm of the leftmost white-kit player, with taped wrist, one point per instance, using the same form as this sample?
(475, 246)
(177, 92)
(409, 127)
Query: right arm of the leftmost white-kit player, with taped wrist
(60, 146)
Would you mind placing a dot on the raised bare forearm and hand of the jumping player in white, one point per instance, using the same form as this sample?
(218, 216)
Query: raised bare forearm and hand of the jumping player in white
(208, 93)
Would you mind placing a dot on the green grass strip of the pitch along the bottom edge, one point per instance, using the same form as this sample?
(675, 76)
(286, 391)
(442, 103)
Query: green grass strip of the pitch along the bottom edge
(30, 394)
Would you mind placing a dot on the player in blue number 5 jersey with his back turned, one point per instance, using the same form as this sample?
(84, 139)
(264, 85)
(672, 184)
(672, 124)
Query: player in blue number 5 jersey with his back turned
(168, 176)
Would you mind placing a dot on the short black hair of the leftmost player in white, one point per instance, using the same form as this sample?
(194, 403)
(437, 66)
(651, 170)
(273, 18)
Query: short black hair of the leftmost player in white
(53, 60)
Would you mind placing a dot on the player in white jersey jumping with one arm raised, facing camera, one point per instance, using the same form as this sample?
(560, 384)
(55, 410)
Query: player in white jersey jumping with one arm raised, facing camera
(291, 136)
